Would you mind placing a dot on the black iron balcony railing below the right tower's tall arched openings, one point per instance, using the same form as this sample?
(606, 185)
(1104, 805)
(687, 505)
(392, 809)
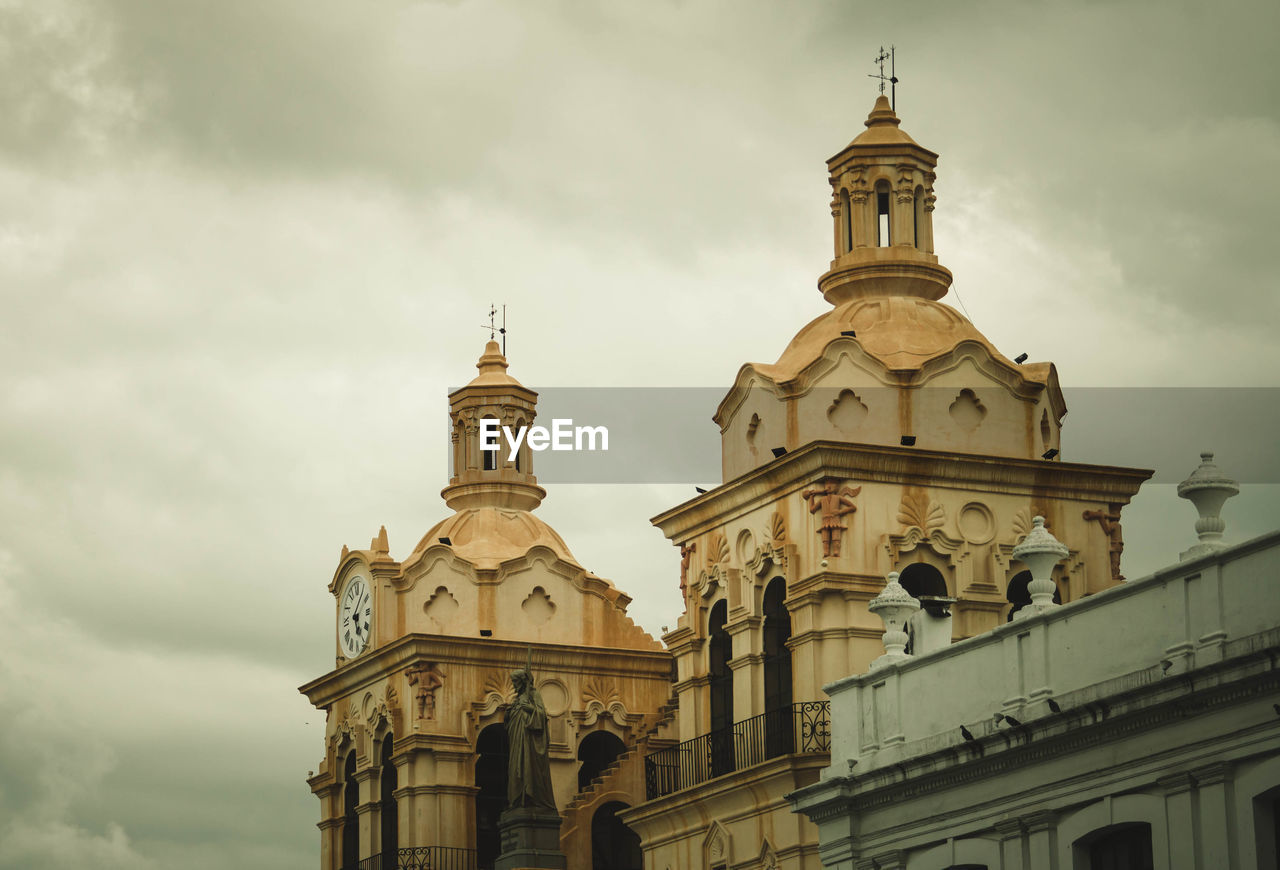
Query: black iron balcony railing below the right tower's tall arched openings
(796, 730)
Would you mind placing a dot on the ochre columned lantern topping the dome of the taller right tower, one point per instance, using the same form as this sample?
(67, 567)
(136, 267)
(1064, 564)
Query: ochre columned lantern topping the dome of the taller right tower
(883, 210)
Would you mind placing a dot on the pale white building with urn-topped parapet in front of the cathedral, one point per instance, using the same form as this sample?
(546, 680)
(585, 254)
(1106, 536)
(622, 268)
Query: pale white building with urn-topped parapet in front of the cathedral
(1136, 729)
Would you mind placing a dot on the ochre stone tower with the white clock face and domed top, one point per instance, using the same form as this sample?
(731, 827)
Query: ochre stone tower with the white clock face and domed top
(414, 766)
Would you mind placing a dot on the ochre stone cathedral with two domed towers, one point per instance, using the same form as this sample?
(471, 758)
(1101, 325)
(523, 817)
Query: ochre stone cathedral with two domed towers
(890, 486)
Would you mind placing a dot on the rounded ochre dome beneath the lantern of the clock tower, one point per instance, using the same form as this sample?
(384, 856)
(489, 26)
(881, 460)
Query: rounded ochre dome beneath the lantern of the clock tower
(487, 537)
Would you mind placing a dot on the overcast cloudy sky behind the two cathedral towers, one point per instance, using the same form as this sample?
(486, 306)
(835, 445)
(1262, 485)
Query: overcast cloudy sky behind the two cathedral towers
(246, 249)
